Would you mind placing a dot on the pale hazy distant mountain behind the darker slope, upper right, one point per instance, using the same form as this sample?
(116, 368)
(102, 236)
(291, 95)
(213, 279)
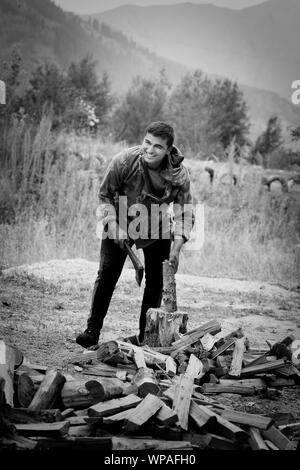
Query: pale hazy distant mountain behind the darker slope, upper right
(257, 46)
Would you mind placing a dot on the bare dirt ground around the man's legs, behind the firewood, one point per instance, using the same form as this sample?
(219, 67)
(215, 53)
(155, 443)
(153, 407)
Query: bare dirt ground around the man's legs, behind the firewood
(43, 306)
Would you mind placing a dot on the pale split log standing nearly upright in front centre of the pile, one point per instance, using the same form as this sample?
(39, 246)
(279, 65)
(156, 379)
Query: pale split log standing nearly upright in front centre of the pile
(182, 399)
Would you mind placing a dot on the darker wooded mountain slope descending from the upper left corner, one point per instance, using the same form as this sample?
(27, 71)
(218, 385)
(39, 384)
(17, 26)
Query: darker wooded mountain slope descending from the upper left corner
(41, 32)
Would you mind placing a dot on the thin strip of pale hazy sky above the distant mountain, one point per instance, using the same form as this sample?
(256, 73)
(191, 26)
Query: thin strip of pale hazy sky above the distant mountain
(94, 6)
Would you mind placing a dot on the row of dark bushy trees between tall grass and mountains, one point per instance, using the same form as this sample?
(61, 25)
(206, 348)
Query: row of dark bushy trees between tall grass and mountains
(208, 115)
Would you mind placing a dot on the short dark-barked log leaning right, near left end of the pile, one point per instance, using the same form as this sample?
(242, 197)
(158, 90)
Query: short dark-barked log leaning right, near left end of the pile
(48, 391)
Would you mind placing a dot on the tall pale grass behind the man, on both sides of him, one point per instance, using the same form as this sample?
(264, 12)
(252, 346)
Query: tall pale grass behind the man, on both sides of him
(48, 200)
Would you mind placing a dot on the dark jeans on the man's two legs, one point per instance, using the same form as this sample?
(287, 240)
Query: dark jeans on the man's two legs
(112, 259)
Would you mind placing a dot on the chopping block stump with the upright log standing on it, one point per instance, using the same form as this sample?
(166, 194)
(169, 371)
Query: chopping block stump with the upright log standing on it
(164, 324)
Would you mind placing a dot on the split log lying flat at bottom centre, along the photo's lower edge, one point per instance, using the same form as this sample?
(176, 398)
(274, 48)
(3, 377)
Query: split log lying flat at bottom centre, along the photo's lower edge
(123, 443)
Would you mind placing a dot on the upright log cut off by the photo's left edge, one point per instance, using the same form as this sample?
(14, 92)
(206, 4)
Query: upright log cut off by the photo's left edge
(7, 365)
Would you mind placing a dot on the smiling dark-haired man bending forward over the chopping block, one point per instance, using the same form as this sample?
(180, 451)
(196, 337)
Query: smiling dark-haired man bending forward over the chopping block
(144, 179)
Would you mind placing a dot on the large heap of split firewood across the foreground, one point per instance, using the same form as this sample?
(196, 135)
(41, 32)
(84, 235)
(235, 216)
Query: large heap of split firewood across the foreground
(127, 397)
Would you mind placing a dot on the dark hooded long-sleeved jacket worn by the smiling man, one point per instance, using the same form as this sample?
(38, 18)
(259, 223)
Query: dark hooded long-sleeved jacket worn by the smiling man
(128, 175)
